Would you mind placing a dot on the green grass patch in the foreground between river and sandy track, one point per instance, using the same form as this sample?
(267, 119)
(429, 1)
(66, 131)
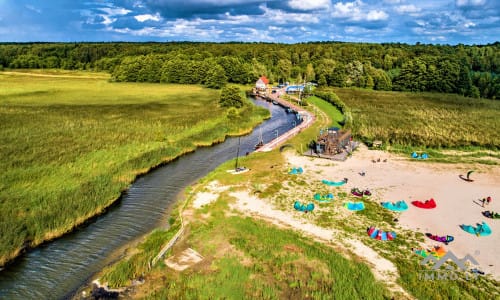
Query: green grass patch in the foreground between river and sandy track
(263, 262)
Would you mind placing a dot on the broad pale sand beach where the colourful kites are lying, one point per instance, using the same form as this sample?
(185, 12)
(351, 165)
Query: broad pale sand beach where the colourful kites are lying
(403, 179)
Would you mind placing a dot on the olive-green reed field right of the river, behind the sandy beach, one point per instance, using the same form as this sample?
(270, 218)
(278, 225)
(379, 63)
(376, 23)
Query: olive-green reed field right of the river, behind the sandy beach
(423, 119)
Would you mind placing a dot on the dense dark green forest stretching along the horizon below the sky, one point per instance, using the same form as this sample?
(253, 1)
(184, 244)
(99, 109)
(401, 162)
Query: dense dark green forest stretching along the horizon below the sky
(472, 71)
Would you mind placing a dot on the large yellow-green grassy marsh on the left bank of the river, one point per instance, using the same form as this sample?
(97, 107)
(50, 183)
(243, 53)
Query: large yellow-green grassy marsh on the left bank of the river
(71, 142)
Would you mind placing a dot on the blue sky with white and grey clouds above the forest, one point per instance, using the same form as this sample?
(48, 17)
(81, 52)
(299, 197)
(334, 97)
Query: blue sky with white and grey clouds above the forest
(284, 21)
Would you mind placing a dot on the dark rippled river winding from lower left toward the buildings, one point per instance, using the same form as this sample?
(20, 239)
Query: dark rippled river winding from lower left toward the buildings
(57, 269)
